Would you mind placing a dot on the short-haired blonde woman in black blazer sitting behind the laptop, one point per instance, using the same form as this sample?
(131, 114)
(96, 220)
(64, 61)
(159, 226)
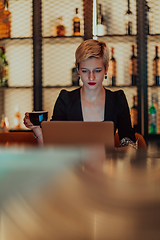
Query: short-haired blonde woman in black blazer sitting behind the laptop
(92, 102)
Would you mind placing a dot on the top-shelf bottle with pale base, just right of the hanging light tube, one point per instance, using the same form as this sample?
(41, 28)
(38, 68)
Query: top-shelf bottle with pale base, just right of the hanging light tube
(101, 27)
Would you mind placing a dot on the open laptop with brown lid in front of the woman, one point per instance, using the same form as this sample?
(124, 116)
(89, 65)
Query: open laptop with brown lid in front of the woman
(78, 133)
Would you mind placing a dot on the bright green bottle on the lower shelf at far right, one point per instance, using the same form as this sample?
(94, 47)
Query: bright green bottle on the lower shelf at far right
(153, 119)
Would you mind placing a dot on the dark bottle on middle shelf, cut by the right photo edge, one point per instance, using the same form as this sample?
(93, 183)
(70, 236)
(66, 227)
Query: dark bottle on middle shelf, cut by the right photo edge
(156, 67)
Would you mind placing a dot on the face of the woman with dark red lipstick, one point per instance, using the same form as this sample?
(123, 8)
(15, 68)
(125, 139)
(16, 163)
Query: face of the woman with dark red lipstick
(92, 72)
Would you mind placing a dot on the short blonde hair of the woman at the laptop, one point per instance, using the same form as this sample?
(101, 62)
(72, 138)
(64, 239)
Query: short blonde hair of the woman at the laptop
(92, 48)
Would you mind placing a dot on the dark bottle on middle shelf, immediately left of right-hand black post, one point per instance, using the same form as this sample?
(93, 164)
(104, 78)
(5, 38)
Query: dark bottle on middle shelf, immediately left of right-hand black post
(133, 67)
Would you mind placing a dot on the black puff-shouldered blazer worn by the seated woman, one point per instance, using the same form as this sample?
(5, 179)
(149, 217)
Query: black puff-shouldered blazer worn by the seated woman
(68, 108)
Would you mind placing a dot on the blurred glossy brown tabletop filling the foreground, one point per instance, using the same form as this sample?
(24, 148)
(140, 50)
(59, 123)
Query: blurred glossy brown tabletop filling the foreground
(63, 193)
